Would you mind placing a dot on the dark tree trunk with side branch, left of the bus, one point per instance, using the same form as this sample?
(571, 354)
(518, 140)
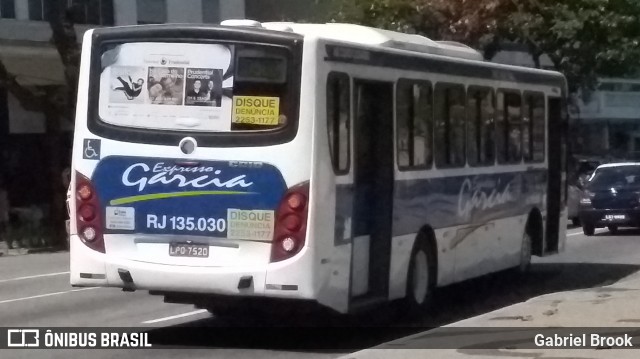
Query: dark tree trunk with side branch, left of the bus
(56, 102)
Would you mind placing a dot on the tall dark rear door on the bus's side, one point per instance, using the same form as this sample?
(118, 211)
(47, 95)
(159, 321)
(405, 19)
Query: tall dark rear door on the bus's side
(373, 182)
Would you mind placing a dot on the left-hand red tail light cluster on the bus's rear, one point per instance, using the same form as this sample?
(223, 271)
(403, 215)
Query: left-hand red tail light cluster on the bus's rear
(88, 221)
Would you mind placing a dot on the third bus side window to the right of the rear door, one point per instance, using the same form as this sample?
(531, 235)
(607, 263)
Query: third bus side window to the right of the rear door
(480, 126)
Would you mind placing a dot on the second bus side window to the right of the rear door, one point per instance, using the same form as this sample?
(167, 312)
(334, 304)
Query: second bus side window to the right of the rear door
(449, 101)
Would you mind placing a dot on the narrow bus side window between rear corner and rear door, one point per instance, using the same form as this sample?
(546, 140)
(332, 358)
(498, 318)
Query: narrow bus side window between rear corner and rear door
(338, 118)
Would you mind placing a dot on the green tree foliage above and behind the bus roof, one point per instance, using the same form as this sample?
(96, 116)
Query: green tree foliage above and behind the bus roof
(583, 38)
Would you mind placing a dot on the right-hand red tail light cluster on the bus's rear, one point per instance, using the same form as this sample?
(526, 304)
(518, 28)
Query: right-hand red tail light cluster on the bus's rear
(291, 223)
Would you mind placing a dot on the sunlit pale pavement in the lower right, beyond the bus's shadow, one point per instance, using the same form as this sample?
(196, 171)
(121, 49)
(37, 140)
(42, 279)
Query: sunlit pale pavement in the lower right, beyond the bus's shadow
(609, 310)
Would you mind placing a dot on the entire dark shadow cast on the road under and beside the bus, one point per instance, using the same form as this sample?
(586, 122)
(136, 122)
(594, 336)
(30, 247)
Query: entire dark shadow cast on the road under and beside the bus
(324, 332)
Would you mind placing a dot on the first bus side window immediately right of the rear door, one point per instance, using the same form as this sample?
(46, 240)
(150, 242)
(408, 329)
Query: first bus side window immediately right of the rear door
(414, 124)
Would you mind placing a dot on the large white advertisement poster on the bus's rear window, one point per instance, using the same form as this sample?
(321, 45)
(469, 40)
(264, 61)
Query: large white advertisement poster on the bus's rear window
(167, 86)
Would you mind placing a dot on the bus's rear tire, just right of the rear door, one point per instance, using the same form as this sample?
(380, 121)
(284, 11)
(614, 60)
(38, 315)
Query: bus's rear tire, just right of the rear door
(420, 279)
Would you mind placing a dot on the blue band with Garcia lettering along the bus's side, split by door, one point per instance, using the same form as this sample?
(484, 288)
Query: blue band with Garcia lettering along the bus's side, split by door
(451, 201)
